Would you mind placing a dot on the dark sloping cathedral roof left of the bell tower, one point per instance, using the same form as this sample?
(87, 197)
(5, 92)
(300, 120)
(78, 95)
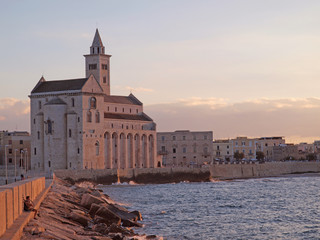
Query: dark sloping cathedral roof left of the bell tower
(60, 85)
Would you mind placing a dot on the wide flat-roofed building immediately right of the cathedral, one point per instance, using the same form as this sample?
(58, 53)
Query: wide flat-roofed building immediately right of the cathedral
(185, 148)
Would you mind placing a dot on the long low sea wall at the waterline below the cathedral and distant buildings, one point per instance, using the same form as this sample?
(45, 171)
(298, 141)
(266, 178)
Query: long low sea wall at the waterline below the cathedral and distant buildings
(178, 174)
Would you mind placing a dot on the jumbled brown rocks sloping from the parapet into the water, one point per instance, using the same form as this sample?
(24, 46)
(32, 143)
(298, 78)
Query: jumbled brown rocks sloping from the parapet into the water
(81, 212)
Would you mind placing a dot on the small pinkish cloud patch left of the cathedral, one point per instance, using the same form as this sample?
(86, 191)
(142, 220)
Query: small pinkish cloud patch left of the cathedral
(14, 114)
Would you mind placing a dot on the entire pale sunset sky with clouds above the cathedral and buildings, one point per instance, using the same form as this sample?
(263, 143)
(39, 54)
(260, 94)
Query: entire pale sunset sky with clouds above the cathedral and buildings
(236, 67)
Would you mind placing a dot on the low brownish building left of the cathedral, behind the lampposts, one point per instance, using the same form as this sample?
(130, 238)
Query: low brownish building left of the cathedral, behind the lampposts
(17, 147)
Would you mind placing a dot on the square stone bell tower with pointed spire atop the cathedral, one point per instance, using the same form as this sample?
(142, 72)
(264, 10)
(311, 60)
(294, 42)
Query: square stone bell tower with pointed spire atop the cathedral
(98, 63)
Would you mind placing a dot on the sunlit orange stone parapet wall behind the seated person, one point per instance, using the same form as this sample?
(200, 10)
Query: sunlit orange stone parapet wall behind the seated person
(11, 199)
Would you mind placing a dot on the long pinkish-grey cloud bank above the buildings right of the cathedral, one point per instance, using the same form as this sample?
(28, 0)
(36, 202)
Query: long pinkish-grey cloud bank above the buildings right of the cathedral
(296, 119)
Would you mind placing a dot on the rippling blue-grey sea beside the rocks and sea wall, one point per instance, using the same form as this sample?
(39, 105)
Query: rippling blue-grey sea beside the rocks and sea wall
(264, 208)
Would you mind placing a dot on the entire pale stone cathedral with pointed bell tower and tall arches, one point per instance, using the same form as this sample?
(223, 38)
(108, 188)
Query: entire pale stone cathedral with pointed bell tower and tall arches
(78, 124)
